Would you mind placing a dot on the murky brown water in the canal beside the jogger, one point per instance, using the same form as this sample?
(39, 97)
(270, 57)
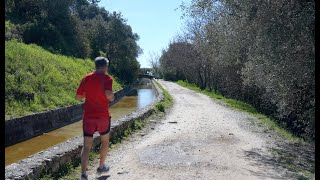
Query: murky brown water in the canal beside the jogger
(138, 99)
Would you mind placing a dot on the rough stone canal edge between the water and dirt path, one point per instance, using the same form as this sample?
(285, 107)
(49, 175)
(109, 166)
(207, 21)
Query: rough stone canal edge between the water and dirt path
(51, 159)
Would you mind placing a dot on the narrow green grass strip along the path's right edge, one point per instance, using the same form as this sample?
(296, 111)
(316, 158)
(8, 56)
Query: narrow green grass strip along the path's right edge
(242, 106)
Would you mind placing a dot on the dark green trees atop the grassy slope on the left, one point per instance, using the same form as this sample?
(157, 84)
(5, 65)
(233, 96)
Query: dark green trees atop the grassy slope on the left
(76, 28)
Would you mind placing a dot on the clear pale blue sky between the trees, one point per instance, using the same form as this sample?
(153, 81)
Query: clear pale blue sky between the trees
(155, 21)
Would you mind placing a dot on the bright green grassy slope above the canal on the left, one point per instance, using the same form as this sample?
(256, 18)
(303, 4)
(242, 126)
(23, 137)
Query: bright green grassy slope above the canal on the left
(37, 80)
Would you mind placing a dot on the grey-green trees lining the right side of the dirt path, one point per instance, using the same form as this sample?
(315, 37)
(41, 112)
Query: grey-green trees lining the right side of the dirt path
(258, 51)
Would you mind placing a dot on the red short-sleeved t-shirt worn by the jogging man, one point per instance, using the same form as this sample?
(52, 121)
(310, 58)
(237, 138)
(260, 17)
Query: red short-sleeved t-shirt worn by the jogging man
(93, 86)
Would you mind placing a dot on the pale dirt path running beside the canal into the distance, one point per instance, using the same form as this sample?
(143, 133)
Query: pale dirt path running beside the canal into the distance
(197, 139)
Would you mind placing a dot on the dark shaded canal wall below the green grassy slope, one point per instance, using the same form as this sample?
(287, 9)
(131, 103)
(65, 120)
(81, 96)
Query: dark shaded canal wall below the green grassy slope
(25, 127)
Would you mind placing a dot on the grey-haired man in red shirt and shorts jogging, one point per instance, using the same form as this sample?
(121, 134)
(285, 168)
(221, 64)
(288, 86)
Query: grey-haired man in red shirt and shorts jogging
(96, 89)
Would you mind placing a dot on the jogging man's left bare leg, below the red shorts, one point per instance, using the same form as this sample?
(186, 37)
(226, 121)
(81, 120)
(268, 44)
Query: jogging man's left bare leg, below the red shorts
(87, 144)
